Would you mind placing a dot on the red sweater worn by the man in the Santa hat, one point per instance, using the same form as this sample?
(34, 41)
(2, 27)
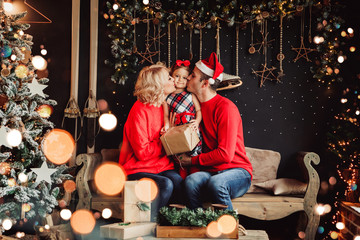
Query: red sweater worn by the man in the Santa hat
(223, 140)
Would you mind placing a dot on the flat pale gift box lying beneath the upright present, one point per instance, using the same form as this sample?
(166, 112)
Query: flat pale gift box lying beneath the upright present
(127, 230)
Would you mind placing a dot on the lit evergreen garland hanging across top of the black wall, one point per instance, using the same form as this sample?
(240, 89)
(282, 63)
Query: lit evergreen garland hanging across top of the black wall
(124, 15)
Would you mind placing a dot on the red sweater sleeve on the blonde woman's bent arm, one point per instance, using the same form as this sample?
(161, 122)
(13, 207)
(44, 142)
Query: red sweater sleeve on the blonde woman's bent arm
(146, 145)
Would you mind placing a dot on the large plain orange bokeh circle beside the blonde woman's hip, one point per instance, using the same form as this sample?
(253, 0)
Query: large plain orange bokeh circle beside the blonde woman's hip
(110, 178)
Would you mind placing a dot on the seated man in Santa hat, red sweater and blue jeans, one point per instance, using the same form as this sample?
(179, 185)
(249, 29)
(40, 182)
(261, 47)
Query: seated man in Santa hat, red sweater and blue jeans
(226, 170)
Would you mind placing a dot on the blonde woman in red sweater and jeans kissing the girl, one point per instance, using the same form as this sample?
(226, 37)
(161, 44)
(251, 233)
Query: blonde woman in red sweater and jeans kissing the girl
(142, 154)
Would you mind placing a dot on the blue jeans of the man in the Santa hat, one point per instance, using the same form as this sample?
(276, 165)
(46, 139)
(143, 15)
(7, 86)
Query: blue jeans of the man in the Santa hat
(216, 187)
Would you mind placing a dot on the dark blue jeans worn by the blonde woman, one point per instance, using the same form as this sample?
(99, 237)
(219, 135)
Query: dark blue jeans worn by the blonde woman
(169, 185)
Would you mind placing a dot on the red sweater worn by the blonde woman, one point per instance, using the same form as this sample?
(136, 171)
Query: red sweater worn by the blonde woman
(141, 149)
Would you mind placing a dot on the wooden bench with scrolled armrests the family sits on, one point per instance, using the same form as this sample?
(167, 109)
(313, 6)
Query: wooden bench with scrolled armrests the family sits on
(262, 206)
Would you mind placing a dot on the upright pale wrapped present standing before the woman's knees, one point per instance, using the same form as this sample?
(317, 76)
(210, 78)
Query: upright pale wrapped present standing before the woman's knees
(135, 209)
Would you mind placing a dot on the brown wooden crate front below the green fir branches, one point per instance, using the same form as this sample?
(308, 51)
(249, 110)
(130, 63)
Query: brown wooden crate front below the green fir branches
(188, 232)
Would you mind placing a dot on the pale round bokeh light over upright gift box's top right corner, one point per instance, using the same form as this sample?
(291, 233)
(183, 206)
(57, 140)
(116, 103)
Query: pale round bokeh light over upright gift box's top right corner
(146, 189)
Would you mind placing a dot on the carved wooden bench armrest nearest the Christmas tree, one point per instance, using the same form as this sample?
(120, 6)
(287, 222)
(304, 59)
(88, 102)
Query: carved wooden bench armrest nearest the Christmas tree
(89, 162)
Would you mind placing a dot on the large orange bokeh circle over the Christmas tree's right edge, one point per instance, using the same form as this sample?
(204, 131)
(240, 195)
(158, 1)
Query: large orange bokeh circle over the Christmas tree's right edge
(58, 146)
